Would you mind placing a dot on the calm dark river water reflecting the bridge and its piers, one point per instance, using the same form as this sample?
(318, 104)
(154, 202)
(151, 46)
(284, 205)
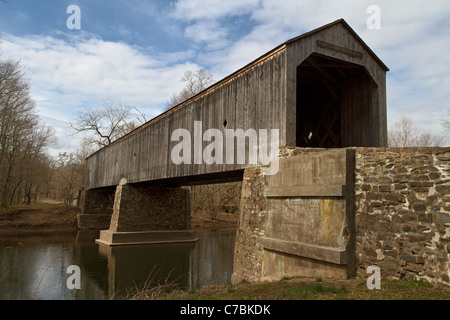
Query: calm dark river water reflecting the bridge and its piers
(34, 267)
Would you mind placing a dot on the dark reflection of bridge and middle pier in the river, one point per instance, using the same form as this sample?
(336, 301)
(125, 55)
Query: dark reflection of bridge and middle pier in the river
(189, 265)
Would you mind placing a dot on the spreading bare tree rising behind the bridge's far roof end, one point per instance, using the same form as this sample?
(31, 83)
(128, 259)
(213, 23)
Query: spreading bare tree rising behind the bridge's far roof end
(107, 124)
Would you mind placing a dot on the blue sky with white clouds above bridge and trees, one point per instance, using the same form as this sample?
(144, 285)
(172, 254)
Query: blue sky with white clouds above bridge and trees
(136, 51)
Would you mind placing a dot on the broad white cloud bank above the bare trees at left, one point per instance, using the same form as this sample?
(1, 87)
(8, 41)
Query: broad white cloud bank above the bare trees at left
(67, 74)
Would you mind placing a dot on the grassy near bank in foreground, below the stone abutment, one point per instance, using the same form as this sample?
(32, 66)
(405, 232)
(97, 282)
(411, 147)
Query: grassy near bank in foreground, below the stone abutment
(304, 289)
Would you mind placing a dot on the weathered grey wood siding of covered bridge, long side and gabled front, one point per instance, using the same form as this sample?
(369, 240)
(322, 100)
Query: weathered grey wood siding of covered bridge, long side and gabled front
(261, 95)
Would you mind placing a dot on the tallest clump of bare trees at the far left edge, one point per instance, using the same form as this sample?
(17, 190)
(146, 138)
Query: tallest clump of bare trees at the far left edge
(23, 161)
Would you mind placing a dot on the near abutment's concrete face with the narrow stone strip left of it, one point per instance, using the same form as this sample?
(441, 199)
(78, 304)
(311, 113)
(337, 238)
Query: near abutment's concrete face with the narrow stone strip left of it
(302, 224)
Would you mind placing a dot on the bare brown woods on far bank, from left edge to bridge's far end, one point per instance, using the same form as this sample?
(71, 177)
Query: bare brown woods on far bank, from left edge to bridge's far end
(27, 171)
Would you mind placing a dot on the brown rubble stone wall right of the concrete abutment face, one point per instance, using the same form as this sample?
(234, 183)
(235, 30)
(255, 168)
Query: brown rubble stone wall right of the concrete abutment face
(403, 212)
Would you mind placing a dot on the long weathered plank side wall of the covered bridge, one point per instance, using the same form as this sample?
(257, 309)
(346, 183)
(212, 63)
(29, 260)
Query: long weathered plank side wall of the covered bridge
(254, 98)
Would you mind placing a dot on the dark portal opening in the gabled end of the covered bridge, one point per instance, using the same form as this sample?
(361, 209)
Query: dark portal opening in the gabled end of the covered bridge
(335, 100)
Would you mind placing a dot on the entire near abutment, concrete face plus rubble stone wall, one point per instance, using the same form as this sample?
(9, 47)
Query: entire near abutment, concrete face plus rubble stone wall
(333, 213)
